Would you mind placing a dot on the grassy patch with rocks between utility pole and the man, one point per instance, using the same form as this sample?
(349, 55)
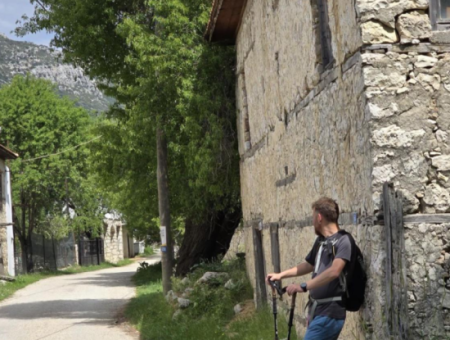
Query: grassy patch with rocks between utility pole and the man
(210, 315)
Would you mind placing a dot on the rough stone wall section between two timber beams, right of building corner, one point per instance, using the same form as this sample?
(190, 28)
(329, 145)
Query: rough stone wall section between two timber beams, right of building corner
(409, 106)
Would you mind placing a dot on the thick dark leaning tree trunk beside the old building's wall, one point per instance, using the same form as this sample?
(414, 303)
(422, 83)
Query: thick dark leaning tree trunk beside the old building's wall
(206, 241)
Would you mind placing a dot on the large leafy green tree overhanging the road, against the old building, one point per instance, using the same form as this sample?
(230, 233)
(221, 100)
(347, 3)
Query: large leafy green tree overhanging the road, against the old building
(163, 74)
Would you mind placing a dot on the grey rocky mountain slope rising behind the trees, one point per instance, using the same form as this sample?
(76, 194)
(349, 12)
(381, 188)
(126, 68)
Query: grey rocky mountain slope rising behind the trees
(17, 57)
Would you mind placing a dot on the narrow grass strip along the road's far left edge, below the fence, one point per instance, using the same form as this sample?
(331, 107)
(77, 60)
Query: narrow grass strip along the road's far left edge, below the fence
(24, 280)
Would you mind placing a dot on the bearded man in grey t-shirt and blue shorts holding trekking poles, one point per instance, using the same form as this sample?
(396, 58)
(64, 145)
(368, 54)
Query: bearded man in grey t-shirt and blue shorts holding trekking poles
(326, 260)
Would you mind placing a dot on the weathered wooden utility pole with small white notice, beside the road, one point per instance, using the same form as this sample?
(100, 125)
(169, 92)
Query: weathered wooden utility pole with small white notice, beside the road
(164, 209)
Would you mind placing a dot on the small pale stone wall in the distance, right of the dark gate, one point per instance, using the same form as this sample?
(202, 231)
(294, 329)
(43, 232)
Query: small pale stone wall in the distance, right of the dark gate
(113, 240)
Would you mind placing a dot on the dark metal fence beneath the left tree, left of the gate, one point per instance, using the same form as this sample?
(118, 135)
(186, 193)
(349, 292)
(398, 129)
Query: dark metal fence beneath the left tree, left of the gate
(48, 254)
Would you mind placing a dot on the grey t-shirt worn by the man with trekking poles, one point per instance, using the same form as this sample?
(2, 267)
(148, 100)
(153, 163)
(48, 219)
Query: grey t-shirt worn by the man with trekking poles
(342, 250)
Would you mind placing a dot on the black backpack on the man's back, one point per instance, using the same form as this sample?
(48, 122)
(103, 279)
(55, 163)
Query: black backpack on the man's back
(355, 277)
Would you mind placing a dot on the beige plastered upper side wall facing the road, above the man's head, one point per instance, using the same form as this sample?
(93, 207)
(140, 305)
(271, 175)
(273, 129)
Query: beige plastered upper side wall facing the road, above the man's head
(303, 132)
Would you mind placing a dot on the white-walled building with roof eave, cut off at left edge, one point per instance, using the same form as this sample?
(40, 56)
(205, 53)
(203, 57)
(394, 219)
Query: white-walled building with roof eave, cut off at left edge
(6, 226)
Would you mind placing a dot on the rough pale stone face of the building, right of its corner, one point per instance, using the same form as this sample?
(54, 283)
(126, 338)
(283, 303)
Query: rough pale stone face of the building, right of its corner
(407, 76)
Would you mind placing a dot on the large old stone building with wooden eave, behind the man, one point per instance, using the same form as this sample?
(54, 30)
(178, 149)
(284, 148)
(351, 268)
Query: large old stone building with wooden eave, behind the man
(336, 98)
